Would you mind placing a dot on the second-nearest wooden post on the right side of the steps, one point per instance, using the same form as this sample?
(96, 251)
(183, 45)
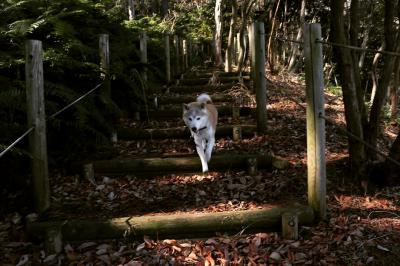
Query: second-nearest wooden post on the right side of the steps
(259, 73)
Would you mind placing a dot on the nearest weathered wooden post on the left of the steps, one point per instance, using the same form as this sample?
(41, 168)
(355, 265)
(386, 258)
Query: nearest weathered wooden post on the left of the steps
(37, 118)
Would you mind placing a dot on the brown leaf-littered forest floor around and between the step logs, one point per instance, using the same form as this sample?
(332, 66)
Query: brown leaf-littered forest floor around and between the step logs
(362, 227)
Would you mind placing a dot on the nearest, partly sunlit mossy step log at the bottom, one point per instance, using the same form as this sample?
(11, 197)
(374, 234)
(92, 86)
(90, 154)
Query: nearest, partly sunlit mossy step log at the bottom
(181, 225)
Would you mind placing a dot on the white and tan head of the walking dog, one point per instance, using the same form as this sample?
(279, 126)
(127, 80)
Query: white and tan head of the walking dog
(195, 116)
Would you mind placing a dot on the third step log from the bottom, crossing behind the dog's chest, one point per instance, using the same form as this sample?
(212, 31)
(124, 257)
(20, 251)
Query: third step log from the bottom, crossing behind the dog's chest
(179, 132)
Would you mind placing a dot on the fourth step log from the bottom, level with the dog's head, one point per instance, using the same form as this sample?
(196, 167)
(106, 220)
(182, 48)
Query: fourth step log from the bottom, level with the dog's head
(177, 112)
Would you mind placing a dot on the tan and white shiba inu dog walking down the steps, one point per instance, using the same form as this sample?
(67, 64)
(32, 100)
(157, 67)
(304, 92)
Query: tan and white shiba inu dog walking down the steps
(201, 118)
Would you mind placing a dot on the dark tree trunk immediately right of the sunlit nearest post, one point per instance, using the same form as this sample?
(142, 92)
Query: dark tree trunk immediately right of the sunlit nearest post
(349, 88)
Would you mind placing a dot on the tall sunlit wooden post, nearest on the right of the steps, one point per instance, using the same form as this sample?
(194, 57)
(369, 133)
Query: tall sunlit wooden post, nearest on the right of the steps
(315, 123)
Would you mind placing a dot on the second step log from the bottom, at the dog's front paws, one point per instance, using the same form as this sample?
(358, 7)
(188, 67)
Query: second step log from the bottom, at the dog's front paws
(220, 162)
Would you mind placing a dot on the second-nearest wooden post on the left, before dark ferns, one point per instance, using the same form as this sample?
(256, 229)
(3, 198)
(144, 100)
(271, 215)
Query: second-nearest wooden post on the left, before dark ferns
(104, 50)
